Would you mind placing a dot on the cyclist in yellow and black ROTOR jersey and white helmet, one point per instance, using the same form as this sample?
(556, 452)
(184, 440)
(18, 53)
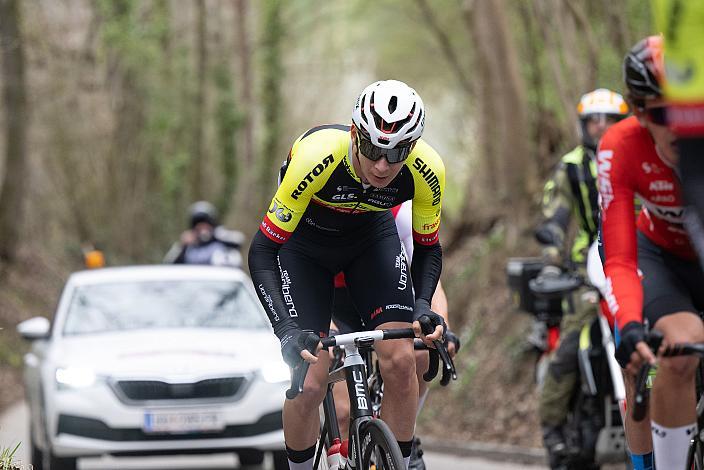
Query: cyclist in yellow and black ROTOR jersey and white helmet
(331, 214)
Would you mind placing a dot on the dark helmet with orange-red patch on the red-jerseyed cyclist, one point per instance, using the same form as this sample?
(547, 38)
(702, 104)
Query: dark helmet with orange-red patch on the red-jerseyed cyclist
(642, 69)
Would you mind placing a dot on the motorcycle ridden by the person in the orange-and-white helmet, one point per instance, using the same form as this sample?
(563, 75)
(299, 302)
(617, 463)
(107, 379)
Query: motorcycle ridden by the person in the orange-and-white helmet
(594, 430)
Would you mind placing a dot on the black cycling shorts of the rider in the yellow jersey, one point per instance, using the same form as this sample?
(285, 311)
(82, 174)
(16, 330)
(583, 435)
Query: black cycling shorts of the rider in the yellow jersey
(376, 272)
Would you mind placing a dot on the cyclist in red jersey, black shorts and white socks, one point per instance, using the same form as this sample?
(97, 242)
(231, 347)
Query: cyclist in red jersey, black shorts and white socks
(652, 273)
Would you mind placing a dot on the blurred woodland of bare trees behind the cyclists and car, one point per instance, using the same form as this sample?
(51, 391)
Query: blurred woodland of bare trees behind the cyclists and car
(117, 114)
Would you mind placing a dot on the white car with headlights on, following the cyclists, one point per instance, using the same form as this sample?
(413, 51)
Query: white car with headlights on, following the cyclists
(155, 360)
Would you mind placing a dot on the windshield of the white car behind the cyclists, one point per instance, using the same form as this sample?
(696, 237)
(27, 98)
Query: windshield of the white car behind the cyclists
(127, 306)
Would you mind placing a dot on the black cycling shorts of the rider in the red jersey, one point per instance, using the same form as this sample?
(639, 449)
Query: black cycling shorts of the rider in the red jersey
(670, 284)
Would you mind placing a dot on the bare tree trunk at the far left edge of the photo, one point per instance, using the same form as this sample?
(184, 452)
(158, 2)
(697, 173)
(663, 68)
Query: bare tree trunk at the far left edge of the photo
(15, 105)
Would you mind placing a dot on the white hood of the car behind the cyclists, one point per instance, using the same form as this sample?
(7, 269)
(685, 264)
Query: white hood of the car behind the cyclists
(183, 354)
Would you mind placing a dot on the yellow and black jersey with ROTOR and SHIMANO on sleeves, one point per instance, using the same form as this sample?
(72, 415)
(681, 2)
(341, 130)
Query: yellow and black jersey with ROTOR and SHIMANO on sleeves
(319, 170)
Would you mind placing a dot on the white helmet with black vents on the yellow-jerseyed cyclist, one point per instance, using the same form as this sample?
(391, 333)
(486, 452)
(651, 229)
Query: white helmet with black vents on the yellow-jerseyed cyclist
(389, 113)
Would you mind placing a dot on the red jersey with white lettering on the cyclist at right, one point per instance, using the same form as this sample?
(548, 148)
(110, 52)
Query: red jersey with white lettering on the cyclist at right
(629, 166)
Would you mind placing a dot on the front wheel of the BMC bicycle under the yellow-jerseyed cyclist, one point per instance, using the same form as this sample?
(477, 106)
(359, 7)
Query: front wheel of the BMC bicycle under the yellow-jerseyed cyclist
(378, 447)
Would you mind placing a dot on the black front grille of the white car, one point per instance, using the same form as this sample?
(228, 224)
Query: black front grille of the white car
(151, 390)
